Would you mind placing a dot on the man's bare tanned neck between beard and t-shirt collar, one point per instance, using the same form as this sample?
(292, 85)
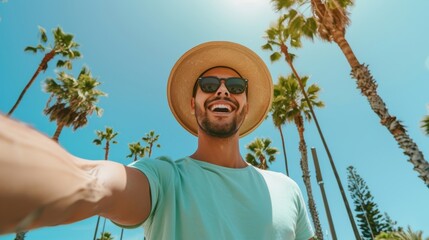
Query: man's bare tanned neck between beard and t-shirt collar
(219, 151)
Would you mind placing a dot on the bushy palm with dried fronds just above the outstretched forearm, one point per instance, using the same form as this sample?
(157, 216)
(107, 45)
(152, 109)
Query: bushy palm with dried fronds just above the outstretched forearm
(75, 100)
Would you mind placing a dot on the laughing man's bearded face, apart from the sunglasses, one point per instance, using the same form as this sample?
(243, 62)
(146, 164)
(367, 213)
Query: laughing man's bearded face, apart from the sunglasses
(220, 114)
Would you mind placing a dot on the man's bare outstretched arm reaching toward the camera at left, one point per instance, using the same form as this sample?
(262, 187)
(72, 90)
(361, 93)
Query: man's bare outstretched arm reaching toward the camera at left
(41, 184)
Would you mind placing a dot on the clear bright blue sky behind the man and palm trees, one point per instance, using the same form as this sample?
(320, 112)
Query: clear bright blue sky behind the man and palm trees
(130, 46)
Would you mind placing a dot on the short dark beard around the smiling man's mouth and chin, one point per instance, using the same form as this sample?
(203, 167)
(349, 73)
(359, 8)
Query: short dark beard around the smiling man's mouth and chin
(213, 128)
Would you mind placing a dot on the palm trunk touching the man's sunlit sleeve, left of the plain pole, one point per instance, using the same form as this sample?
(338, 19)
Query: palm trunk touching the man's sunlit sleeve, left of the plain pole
(306, 177)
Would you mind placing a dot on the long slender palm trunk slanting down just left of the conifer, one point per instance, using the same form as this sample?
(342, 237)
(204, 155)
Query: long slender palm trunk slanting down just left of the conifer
(325, 145)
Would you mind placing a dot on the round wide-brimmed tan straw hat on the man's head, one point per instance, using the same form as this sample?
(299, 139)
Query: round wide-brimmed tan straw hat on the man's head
(211, 54)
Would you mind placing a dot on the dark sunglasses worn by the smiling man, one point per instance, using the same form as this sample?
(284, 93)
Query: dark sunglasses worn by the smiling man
(235, 85)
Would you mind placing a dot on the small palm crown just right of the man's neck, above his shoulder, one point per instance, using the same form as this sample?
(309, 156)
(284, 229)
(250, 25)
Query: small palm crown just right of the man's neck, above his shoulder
(260, 152)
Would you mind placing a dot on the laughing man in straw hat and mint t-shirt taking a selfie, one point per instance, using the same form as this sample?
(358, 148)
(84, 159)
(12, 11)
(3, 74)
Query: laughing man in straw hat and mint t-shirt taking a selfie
(218, 91)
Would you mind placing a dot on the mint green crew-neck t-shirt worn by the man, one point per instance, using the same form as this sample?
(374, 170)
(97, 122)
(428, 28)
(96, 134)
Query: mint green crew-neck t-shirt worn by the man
(192, 199)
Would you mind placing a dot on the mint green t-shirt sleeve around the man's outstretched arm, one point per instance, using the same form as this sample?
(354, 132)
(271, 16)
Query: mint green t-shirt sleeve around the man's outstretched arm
(159, 172)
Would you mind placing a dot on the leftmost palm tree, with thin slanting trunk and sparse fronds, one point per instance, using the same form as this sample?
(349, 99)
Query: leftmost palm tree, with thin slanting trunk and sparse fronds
(63, 45)
